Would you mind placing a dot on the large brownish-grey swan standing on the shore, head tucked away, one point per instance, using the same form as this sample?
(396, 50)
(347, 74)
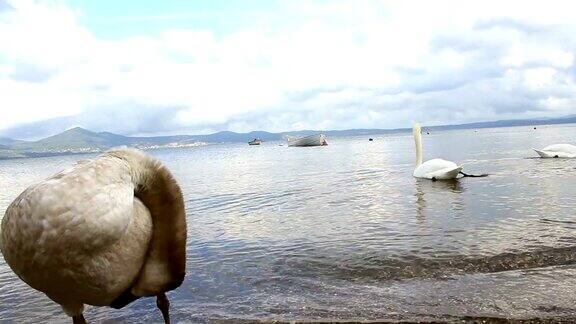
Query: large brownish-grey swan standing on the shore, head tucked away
(105, 232)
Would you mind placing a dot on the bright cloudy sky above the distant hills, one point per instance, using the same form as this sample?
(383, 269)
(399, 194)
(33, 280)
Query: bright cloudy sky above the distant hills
(195, 67)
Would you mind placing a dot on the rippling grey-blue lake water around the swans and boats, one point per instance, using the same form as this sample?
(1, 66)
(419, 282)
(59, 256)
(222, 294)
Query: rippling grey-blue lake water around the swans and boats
(344, 232)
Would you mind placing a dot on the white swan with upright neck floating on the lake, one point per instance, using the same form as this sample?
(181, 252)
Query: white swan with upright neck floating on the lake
(436, 169)
